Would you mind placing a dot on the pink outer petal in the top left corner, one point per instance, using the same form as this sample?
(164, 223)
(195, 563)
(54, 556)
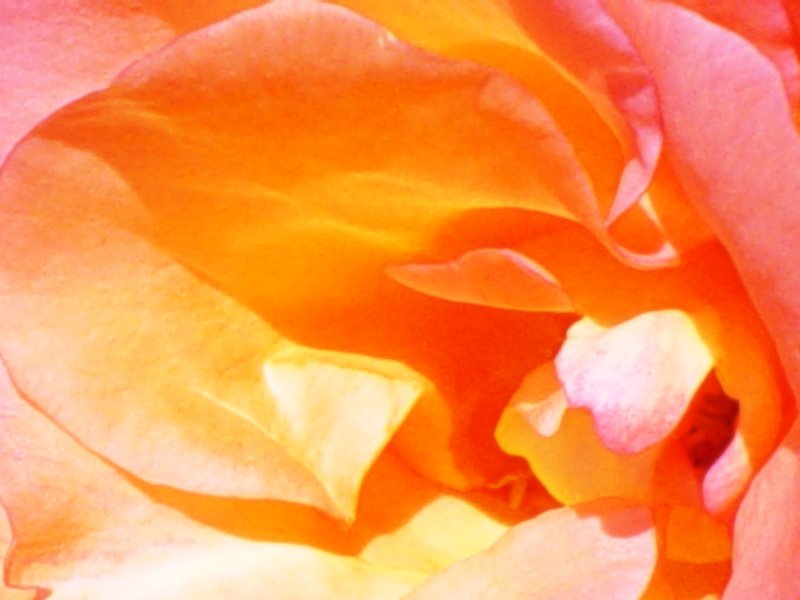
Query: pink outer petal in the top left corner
(54, 51)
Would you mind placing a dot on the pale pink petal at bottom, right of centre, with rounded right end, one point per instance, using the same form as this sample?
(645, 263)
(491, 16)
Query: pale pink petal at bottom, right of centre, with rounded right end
(592, 551)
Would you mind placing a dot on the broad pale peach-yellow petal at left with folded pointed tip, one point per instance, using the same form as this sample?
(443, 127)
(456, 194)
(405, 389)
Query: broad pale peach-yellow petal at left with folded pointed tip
(162, 334)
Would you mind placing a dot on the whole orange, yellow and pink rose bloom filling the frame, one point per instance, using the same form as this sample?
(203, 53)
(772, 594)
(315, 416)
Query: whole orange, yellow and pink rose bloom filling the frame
(76, 288)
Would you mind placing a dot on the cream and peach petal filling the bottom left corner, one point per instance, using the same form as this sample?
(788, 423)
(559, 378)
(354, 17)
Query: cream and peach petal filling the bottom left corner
(83, 529)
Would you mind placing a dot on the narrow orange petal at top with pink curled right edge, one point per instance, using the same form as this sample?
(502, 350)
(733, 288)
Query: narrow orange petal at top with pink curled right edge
(499, 36)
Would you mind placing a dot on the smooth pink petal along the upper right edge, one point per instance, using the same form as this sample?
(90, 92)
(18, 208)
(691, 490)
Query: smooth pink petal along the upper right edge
(748, 198)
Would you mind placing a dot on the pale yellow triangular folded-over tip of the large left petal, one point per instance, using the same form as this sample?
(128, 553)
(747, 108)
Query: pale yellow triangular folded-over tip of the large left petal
(334, 413)
